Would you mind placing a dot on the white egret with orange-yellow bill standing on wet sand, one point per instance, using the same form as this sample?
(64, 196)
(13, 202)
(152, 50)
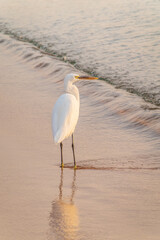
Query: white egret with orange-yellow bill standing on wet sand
(66, 112)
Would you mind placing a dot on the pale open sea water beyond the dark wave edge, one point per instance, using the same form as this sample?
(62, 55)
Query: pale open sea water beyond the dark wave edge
(118, 41)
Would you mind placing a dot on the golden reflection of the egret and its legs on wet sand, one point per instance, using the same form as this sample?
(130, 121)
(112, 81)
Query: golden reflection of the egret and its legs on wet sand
(64, 222)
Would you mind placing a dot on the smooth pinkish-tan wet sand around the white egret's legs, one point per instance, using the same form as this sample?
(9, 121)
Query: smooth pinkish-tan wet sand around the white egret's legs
(115, 192)
